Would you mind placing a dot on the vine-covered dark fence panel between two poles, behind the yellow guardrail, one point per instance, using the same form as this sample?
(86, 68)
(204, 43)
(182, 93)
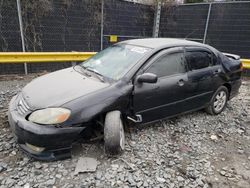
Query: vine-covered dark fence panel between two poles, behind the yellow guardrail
(65, 25)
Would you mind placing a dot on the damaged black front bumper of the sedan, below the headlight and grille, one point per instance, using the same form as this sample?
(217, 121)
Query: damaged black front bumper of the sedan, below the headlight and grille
(56, 141)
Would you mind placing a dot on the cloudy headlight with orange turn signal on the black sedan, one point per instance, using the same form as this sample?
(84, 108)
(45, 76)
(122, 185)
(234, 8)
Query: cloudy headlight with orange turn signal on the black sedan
(50, 116)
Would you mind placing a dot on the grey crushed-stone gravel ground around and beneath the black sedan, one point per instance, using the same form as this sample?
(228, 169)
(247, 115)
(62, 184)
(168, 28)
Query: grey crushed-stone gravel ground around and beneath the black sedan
(193, 150)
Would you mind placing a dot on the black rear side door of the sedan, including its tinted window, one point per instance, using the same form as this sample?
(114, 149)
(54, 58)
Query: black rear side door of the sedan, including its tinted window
(200, 77)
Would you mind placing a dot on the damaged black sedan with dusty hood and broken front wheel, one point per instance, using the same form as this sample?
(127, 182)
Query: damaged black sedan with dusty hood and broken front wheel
(138, 81)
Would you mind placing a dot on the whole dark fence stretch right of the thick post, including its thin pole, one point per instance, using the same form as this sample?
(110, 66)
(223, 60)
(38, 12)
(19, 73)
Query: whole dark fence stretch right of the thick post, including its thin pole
(224, 26)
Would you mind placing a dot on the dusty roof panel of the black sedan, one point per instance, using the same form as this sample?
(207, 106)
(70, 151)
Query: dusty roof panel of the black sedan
(162, 42)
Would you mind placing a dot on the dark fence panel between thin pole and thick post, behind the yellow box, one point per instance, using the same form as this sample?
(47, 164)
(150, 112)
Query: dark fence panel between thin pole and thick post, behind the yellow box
(127, 20)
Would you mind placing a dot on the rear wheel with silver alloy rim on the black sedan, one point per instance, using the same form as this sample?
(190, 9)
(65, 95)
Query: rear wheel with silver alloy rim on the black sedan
(218, 102)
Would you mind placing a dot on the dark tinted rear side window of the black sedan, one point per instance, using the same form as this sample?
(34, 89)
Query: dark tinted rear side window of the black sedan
(198, 59)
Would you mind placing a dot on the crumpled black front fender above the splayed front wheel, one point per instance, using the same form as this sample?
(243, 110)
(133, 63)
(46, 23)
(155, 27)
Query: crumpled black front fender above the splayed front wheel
(85, 109)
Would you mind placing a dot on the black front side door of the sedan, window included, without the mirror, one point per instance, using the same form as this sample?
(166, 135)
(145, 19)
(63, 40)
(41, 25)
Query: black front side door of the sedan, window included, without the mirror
(167, 96)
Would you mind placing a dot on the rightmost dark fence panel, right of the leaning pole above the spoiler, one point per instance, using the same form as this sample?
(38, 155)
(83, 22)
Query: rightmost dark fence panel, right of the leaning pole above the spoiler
(229, 28)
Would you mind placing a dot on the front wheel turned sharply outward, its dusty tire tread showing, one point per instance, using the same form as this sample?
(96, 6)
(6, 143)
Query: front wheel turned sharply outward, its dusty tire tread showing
(114, 137)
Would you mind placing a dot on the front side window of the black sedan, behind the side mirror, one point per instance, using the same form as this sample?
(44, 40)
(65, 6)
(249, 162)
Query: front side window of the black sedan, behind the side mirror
(168, 64)
